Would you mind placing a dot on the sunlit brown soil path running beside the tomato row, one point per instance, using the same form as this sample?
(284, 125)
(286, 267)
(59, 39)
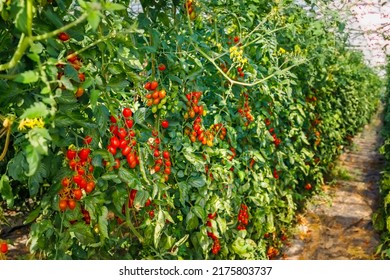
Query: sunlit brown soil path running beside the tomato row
(337, 225)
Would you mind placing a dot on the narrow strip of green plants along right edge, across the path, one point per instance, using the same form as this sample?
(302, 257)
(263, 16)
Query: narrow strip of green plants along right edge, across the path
(381, 218)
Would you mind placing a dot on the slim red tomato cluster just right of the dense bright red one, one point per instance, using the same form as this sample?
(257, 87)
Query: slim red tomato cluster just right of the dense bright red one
(162, 161)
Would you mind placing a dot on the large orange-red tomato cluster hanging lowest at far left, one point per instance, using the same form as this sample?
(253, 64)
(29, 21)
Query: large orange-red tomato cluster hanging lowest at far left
(72, 188)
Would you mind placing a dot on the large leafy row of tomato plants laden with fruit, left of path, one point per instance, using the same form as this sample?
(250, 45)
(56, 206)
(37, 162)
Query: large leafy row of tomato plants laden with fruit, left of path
(186, 130)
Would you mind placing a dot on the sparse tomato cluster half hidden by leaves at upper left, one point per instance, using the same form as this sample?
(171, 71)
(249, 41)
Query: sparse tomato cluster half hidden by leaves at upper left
(75, 62)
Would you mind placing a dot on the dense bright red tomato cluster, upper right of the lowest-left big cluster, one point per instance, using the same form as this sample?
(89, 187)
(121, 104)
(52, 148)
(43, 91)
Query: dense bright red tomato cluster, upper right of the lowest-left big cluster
(124, 139)
